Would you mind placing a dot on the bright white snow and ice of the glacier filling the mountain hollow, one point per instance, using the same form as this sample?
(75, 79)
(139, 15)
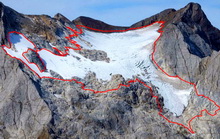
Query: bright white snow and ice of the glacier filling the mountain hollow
(129, 54)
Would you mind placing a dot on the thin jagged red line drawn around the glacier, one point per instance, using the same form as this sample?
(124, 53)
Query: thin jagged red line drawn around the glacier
(65, 53)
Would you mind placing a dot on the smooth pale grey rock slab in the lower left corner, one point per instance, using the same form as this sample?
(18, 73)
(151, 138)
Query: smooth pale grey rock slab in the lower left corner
(23, 113)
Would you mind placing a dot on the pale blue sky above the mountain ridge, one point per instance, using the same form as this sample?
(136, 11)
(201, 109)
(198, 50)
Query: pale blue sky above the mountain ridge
(115, 12)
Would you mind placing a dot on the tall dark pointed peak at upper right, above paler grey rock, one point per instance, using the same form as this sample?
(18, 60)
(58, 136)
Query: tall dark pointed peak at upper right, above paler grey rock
(193, 15)
